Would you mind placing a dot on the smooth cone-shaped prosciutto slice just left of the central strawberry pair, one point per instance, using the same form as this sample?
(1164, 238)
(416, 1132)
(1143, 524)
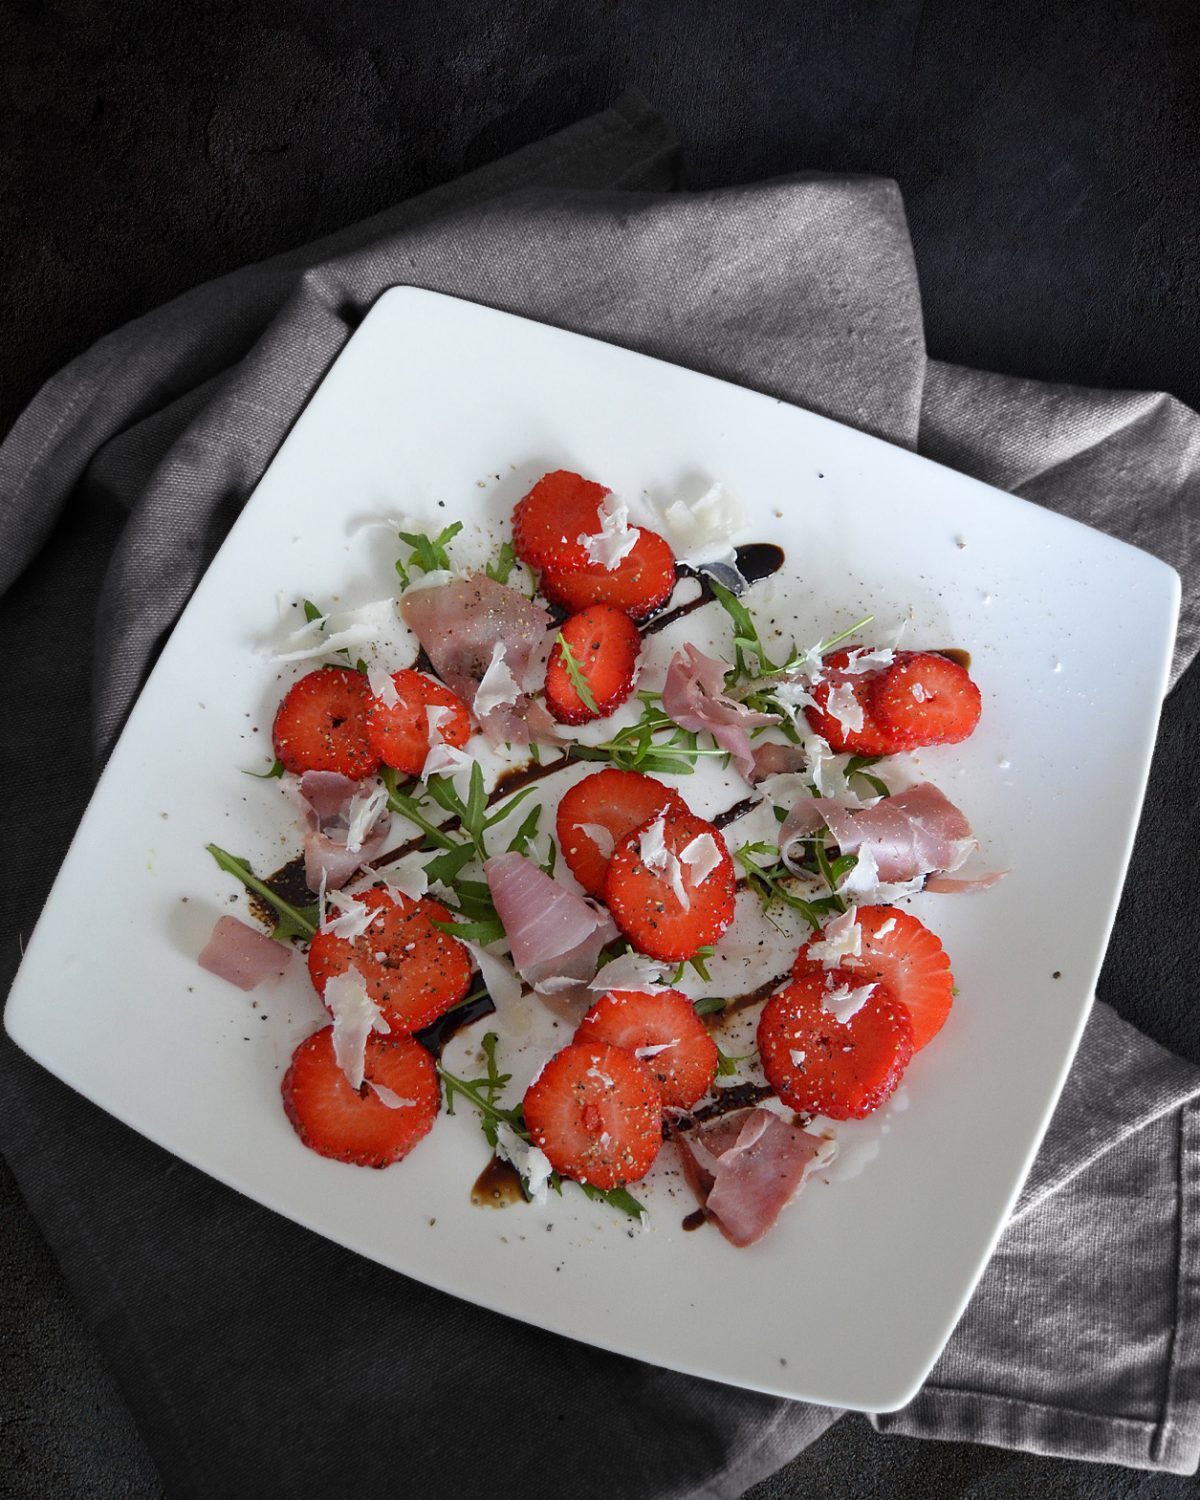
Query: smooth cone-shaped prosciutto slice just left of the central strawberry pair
(554, 934)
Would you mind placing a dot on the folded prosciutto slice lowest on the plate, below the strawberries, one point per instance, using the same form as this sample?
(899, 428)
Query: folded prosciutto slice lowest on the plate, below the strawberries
(746, 1168)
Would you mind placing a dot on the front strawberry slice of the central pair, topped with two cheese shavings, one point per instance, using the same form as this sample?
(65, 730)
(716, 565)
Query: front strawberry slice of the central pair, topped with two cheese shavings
(644, 898)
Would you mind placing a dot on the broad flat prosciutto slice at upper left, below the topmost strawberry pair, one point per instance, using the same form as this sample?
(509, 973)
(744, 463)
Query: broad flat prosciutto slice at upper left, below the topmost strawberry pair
(475, 629)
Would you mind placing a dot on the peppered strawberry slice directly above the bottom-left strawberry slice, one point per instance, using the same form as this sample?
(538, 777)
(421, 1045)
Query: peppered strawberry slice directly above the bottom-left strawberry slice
(412, 970)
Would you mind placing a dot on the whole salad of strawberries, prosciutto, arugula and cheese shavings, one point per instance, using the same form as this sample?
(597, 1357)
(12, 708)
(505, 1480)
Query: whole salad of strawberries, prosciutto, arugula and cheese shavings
(446, 877)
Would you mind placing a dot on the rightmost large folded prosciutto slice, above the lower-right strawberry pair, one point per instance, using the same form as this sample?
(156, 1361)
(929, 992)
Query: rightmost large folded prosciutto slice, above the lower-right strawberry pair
(907, 836)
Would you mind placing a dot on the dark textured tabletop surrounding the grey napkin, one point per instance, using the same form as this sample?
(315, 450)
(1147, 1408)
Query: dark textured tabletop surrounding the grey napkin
(1049, 161)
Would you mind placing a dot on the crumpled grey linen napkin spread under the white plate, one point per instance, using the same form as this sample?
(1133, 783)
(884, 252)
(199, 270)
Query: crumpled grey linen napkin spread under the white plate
(1084, 1337)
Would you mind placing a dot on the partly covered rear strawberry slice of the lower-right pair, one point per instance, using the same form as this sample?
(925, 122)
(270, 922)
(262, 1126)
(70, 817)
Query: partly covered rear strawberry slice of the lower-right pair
(902, 953)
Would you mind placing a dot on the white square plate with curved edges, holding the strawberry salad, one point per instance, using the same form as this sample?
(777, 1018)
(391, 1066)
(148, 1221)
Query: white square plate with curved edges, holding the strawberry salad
(439, 409)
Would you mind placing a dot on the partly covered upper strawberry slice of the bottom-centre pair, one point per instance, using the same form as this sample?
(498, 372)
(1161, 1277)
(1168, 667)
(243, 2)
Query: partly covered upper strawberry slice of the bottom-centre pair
(665, 1033)
